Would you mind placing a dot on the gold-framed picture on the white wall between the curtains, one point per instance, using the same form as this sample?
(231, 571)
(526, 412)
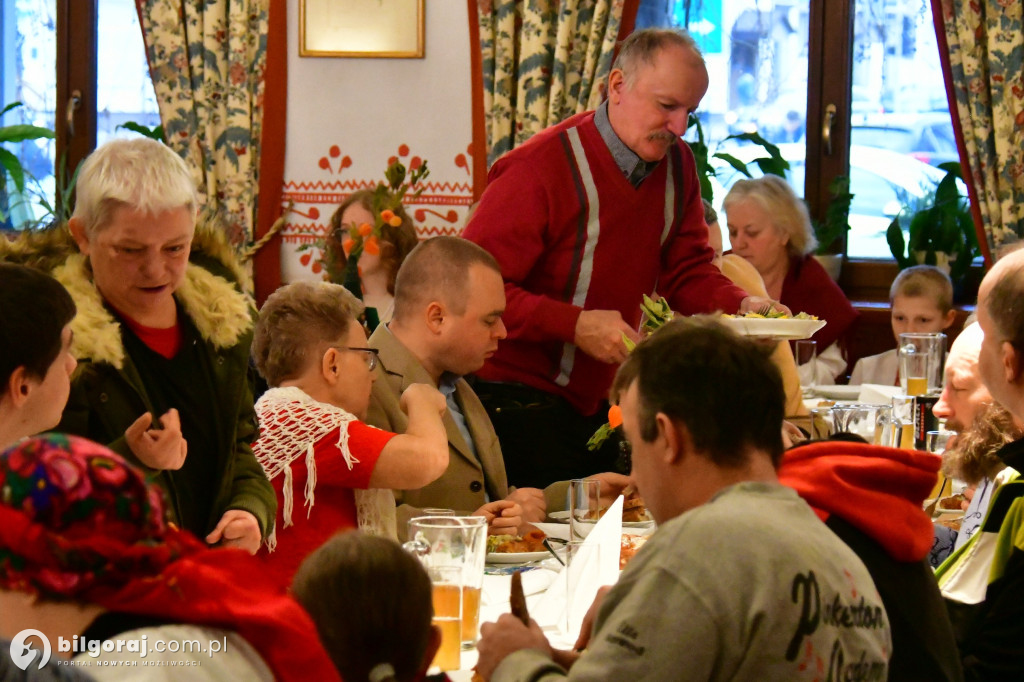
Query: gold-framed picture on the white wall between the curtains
(361, 28)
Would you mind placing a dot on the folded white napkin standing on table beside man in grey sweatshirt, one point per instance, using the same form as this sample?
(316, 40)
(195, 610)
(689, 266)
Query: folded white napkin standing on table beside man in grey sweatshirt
(550, 611)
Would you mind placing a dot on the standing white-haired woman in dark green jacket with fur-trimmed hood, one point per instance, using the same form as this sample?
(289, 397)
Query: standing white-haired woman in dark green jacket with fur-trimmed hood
(162, 339)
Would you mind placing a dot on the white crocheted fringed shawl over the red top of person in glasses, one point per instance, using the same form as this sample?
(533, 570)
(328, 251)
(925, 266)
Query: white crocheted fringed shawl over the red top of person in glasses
(291, 423)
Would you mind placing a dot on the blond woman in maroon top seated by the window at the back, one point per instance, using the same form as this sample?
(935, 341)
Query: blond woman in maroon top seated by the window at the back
(771, 228)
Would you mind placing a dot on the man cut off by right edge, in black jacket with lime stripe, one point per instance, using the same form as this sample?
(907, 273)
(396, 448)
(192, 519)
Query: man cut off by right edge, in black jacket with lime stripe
(991, 638)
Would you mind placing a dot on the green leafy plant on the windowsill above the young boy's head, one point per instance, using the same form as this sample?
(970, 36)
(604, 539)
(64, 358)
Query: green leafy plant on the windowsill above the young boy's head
(941, 230)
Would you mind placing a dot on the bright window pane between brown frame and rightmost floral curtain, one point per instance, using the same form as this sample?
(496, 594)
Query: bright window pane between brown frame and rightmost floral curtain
(901, 126)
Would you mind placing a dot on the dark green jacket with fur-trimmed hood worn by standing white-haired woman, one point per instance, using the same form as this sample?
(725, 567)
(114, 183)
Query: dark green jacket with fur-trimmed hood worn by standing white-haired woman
(108, 395)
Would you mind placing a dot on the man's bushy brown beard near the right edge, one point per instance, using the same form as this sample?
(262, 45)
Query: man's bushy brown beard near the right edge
(973, 456)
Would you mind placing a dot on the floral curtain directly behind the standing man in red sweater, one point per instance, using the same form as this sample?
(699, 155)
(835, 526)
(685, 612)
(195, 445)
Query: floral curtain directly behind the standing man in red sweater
(544, 61)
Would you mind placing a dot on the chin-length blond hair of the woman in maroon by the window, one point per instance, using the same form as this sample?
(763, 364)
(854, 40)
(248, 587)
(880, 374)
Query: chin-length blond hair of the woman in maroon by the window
(786, 210)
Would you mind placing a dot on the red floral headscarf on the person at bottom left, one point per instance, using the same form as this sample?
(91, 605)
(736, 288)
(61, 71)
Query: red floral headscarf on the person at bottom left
(76, 519)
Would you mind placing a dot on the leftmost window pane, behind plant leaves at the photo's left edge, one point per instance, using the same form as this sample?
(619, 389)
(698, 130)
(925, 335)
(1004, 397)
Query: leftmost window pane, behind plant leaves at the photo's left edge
(28, 74)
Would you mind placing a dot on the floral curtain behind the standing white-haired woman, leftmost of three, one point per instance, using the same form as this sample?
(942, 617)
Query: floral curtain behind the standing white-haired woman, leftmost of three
(207, 59)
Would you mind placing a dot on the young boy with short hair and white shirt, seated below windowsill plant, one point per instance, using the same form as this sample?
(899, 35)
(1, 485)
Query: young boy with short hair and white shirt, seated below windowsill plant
(922, 300)
